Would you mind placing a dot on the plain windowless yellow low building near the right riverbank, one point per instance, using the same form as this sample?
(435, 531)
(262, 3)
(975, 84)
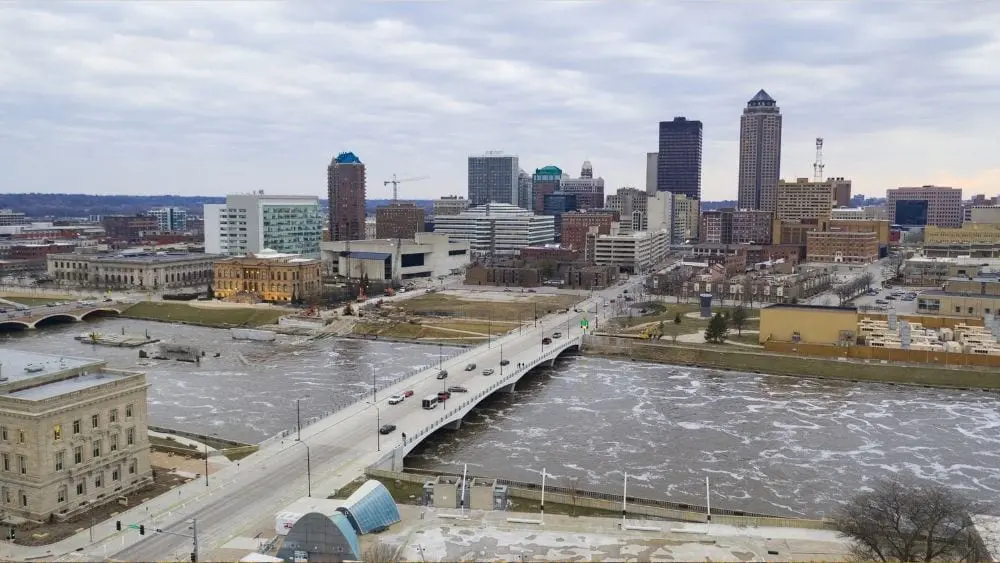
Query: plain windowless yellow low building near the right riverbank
(808, 324)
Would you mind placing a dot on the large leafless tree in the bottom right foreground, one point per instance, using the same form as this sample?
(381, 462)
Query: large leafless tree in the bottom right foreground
(907, 520)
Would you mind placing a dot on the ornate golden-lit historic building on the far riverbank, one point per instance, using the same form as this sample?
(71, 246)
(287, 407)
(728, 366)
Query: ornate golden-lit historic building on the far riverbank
(266, 276)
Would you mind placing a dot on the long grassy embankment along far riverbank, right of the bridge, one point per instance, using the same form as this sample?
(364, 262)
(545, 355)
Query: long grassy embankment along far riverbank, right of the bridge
(745, 360)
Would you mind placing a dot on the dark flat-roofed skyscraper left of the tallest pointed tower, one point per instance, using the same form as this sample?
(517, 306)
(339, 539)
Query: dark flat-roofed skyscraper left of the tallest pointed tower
(678, 163)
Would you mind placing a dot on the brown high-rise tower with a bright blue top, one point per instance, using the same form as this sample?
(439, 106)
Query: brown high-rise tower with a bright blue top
(345, 184)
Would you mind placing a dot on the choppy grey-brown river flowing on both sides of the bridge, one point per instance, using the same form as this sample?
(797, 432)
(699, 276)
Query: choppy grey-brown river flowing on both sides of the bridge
(768, 444)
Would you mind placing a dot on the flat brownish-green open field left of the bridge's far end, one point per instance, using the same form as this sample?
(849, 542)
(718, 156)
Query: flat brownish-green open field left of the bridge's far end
(510, 309)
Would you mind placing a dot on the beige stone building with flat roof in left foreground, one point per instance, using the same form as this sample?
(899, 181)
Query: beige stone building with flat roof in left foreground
(73, 434)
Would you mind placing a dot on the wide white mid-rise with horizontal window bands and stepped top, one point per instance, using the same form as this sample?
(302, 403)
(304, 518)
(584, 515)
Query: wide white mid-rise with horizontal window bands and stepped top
(497, 229)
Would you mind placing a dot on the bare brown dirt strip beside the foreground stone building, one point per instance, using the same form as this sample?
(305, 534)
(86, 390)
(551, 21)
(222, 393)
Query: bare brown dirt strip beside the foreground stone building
(44, 534)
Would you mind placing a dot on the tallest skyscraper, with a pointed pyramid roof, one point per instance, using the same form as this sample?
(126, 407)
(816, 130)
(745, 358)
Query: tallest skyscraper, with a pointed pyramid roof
(760, 153)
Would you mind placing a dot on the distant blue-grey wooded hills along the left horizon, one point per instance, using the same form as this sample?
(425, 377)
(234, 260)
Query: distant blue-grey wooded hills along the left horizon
(80, 205)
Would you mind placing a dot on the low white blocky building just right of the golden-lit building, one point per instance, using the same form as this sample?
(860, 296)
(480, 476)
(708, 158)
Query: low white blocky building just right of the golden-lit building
(426, 255)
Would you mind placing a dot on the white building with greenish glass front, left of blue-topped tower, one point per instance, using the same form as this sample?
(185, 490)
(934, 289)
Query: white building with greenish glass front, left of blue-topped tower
(249, 223)
